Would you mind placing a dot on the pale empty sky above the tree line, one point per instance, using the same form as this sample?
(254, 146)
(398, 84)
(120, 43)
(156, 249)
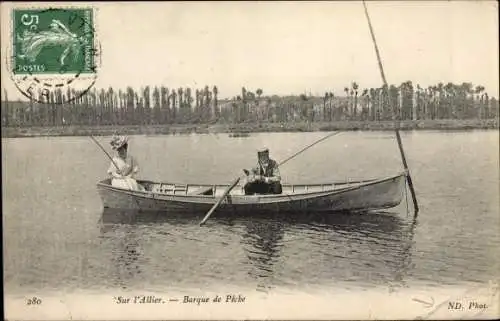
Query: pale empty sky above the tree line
(287, 47)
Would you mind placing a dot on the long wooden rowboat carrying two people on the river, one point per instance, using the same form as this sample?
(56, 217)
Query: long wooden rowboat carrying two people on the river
(347, 196)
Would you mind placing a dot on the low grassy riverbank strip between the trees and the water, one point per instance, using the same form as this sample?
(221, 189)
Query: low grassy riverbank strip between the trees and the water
(246, 128)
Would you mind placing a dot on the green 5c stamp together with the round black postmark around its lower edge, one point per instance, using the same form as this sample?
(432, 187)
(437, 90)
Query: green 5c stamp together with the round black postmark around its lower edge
(54, 50)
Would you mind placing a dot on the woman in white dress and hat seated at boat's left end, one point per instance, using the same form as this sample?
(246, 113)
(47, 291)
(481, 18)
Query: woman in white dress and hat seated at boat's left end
(123, 176)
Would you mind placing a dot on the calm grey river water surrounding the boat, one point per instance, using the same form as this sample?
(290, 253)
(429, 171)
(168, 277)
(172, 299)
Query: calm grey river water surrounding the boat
(56, 238)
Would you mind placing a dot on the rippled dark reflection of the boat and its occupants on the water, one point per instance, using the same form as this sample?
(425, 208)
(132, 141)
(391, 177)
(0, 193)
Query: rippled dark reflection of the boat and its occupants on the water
(372, 248)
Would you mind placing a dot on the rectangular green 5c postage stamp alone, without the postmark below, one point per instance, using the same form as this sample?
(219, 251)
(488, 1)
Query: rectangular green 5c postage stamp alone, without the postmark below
(53, 41)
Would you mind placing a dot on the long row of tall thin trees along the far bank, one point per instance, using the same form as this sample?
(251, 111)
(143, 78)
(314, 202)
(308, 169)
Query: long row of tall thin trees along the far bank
(161, 105)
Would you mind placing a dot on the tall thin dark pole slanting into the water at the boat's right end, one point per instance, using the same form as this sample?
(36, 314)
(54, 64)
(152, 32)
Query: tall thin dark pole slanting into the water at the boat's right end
(396, 122)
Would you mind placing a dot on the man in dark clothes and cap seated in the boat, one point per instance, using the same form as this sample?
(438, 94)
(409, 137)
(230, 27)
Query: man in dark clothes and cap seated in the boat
(265, 178)
